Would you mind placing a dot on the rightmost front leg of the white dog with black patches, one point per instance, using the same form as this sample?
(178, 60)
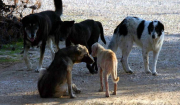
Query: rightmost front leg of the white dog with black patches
(155, 58)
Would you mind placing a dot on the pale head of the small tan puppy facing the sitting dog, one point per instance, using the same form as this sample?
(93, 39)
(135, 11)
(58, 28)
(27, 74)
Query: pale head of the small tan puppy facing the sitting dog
(95, 48)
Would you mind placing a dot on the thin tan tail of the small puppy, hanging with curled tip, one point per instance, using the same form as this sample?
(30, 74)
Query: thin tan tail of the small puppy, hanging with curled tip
(115, 78)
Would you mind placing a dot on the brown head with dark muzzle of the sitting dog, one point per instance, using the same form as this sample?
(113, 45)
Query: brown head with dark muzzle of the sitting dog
(82, 55)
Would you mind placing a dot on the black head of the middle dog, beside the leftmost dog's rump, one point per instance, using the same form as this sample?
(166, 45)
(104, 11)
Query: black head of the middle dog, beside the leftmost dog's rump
(64, 29)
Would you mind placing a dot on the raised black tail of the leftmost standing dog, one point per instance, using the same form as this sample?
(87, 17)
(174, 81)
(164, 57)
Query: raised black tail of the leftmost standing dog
(58, 7)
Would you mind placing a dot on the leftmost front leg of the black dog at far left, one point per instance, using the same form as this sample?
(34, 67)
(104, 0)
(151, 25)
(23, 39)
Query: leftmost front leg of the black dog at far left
(25, 56)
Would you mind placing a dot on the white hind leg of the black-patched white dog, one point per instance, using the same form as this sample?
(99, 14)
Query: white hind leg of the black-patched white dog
(126, 49)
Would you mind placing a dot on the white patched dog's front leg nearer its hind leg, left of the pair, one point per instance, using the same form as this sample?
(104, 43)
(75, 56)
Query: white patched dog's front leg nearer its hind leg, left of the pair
(145, 54)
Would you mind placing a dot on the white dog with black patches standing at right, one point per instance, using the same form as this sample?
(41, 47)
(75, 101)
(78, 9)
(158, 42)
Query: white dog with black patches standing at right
(149, 35)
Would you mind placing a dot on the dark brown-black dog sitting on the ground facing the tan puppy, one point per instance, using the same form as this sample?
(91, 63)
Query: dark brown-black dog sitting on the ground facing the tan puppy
(53, 81)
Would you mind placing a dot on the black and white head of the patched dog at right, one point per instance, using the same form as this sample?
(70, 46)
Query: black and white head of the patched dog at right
(155, 29)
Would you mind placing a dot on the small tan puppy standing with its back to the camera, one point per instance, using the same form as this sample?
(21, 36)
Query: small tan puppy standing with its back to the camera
(107, 62)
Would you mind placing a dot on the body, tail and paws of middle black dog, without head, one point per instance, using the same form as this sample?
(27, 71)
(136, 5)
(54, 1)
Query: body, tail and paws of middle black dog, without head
(86, 33)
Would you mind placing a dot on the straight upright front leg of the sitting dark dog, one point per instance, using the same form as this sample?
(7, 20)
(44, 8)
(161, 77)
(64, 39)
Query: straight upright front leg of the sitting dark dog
(69, 79)
